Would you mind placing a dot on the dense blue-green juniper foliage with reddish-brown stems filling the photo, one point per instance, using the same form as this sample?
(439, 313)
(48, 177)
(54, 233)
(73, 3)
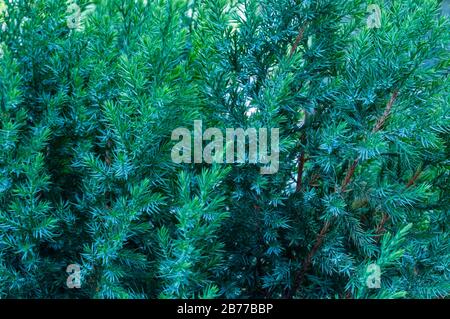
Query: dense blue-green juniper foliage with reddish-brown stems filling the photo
(86, 116)
